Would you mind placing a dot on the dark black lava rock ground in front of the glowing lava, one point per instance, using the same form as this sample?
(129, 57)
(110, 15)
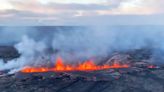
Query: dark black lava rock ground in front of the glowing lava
(148, 80)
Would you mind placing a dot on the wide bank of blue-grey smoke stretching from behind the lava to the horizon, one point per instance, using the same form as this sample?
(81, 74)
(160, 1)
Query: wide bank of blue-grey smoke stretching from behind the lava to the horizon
(74, 43)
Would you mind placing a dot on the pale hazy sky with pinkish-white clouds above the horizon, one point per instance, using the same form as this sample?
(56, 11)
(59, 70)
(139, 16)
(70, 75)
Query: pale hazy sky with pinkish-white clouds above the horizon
(79, 12)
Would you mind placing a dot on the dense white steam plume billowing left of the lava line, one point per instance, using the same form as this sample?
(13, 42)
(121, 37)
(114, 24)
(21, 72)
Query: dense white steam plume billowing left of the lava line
(29, 49)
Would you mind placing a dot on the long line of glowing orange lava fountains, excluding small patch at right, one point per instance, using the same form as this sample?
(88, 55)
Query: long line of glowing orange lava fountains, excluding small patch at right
(60, 66)
